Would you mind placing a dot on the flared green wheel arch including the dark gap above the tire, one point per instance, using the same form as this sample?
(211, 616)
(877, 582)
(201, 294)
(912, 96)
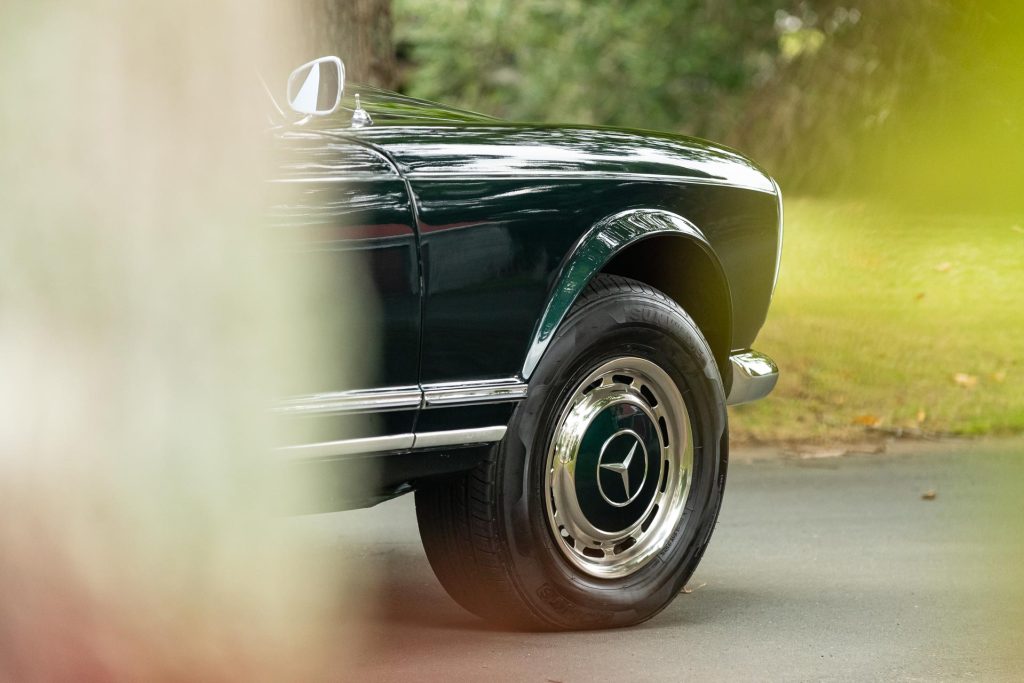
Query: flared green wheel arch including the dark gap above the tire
(660, 249)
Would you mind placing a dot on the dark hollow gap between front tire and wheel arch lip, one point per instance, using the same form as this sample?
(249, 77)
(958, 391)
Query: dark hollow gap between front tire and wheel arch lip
(684, 271)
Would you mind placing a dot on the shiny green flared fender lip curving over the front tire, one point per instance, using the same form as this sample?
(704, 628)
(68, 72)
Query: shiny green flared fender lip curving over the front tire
(601, 244)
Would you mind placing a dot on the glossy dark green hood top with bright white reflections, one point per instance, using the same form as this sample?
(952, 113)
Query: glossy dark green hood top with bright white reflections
(430, 140)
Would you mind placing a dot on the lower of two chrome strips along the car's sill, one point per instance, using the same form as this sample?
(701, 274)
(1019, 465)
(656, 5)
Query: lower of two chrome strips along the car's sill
(398, 443)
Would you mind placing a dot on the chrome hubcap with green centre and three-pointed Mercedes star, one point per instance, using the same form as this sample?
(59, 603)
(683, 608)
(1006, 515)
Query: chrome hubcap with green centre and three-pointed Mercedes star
(619, 468)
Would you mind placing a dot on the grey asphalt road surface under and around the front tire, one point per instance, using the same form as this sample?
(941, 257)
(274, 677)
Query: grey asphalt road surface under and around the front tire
(827, 569)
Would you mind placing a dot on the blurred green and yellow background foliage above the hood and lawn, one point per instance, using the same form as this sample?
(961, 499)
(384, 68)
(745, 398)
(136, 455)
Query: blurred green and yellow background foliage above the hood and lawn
(911, 98)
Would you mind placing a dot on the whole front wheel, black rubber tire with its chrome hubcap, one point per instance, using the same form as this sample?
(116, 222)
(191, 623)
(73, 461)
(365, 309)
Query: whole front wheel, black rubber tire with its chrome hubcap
(560, 528)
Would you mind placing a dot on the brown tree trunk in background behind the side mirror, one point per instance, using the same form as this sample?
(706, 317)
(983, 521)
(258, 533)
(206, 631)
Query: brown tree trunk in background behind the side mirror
(358, 31)
